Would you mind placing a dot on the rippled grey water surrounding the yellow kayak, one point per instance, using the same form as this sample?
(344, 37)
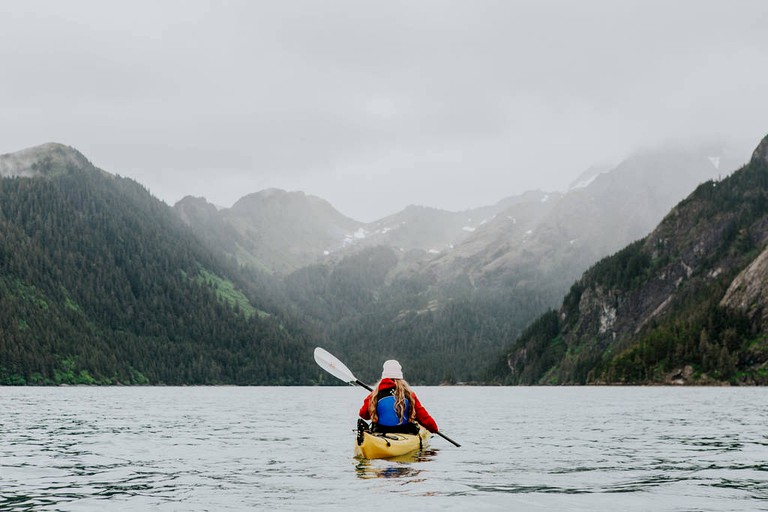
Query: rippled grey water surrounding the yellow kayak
(229, 448)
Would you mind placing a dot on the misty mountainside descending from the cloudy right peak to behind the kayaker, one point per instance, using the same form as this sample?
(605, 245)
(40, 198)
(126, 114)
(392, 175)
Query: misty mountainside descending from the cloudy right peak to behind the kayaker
(448, 315)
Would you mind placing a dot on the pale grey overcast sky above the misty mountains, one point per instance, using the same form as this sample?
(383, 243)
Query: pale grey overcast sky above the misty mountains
(377, 105)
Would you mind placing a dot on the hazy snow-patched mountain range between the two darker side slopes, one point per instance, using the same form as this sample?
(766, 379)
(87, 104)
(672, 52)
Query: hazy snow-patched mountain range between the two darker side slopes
(445, 292)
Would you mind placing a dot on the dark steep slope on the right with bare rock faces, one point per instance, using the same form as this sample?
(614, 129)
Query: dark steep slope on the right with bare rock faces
(685, 304)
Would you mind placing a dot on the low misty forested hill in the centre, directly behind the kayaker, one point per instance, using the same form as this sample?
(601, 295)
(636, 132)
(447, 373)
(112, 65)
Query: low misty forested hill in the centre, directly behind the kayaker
(439, 335)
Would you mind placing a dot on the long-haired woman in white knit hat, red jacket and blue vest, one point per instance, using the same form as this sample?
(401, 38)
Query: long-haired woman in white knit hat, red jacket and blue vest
(393, 407)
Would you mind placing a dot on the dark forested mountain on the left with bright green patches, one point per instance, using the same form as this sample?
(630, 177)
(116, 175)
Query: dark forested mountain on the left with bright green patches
(101, 283)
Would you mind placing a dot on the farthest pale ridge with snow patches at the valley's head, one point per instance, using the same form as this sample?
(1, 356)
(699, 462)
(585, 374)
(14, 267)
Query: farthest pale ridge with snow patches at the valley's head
(280, 232)
